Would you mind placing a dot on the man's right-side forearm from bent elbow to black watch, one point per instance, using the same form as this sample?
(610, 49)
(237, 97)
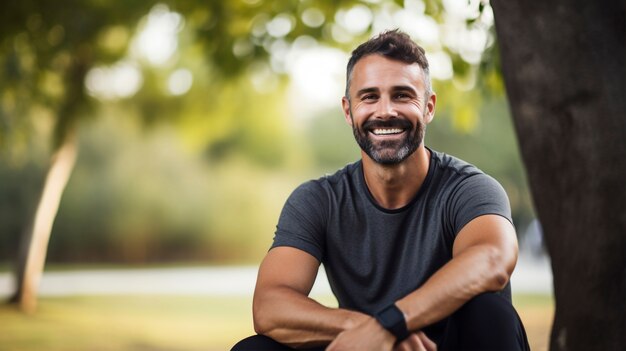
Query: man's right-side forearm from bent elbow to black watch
(478, 269)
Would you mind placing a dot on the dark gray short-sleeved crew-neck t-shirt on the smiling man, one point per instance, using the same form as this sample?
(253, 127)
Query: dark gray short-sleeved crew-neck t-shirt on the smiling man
(374, 256)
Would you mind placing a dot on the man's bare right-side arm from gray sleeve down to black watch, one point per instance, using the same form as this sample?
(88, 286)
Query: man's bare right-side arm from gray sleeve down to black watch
(484, 256)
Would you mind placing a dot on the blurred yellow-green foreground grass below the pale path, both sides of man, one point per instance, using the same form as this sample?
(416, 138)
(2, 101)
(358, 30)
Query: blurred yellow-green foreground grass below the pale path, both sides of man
(154, 322)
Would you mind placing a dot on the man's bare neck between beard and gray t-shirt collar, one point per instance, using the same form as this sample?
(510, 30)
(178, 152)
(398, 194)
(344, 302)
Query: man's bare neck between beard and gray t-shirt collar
(394, 186)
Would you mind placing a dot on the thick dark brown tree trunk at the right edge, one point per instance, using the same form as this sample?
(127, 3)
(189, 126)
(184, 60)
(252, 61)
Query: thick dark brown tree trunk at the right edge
(564, 68)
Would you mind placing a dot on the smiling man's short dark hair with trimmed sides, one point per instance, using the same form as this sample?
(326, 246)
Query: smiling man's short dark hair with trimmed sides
(395, 45)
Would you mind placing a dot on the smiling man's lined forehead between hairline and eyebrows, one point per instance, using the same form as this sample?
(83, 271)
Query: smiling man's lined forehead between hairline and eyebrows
(377, 71)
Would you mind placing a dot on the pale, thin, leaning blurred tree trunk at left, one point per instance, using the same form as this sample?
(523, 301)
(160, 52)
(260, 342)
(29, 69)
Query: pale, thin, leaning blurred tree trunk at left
(35, 241)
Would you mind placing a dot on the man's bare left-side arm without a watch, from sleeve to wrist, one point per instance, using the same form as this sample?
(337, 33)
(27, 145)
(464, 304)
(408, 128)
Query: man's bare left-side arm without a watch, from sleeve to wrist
(282, 309)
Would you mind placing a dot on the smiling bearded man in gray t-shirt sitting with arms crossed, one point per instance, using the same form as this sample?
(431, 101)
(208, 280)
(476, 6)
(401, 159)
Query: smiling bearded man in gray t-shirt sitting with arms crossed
(418, 246)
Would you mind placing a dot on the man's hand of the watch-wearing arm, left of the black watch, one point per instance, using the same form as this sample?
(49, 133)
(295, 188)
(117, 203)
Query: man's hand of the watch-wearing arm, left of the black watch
(369, 335)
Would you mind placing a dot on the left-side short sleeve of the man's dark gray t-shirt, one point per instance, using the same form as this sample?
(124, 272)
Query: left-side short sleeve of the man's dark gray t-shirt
(302, 221)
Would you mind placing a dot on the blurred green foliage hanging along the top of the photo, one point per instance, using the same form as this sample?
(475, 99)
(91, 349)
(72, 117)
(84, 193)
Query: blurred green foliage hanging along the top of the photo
(47, 49)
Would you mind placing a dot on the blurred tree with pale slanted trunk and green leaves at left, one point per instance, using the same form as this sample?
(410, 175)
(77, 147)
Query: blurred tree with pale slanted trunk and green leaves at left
(47, 51)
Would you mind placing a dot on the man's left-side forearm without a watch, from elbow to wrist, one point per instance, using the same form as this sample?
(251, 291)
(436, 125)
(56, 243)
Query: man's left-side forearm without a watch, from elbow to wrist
(296, 320)
